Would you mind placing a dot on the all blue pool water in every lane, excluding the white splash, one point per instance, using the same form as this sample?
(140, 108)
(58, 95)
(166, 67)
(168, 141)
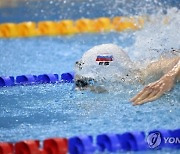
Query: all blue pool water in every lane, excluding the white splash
(51, 110)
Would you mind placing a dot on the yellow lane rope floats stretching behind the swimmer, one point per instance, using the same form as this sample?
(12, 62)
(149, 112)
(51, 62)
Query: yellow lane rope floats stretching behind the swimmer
(70, 27)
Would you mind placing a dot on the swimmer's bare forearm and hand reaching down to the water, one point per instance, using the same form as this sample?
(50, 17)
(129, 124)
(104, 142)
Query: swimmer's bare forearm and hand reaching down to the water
(156, 89)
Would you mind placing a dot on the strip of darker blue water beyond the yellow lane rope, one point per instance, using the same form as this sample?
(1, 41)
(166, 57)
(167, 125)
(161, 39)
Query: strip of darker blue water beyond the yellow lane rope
(30, 10)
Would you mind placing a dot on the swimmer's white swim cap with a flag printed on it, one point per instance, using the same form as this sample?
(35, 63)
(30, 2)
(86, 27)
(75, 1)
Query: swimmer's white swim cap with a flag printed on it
(104, 61)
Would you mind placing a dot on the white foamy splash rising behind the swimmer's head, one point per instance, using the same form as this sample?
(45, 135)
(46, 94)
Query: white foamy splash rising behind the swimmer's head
(160, 35)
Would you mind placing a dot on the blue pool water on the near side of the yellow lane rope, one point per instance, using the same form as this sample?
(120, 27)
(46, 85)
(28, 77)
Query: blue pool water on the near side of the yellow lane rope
(42, 111)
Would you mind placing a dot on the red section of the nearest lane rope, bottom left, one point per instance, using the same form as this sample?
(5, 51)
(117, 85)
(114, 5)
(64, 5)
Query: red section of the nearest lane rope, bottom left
(50, 146)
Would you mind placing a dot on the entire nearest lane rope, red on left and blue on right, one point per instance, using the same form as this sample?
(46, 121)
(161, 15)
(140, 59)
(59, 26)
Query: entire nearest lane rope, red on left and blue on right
(111, 143)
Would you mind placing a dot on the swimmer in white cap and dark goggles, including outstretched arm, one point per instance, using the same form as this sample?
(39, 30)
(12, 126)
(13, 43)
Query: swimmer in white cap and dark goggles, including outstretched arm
(110, 63)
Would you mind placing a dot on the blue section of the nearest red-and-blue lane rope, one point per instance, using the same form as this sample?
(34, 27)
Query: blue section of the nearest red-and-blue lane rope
(129, 141)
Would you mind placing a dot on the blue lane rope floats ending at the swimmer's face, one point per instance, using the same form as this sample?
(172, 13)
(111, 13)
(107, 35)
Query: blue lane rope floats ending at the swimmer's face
(36, 79)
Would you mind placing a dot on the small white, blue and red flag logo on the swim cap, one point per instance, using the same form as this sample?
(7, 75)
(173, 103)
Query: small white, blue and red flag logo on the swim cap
(104, 59)
